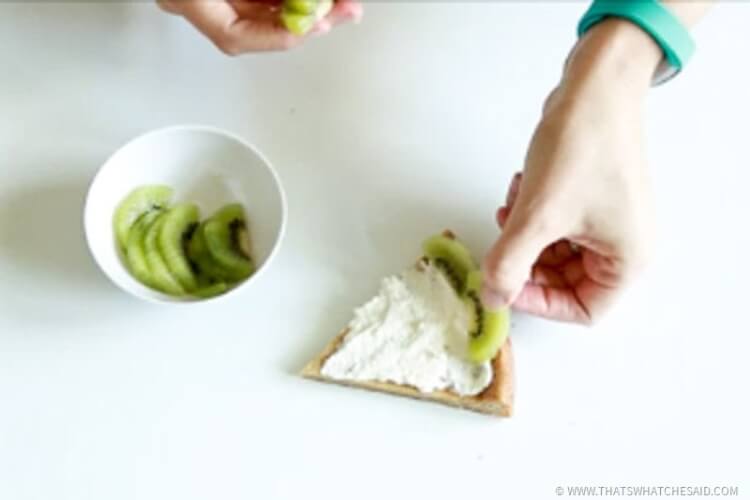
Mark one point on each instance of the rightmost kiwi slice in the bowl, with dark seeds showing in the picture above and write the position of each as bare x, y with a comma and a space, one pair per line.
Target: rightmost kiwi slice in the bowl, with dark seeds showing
226, 238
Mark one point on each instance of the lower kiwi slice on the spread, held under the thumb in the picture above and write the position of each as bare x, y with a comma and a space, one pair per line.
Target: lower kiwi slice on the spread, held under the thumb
488, 329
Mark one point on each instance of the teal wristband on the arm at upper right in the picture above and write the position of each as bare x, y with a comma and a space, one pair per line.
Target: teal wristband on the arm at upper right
653, 18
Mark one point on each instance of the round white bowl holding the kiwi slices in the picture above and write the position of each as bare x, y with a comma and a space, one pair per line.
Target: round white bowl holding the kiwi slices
204, 165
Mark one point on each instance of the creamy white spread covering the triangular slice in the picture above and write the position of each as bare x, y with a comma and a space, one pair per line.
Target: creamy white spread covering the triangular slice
414, 332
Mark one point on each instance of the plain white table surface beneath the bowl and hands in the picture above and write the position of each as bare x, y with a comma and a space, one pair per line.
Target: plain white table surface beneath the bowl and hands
382, 134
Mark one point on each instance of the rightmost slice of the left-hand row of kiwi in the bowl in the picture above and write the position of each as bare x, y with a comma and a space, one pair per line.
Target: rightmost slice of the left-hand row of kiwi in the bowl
179, 223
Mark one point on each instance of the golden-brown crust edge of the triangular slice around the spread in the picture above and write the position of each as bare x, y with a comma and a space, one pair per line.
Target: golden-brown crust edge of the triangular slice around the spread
496, 399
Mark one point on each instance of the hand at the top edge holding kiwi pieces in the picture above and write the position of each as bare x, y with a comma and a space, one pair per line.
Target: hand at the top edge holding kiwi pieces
240, 26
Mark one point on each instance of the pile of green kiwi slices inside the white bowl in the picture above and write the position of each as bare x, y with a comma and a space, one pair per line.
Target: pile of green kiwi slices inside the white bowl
167, 247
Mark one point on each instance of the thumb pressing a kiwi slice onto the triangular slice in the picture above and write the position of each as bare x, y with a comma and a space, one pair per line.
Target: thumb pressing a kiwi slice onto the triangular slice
508, 264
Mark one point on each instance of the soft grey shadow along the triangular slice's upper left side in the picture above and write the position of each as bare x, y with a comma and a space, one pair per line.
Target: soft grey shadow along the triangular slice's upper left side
387, 243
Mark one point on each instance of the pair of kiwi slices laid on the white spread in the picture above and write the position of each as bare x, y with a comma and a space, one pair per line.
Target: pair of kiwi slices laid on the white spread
488, 329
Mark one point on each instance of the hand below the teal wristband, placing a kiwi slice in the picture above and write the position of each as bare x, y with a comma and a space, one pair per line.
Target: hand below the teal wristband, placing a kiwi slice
576, 225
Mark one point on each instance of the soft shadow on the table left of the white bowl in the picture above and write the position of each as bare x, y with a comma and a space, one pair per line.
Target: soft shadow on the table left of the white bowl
42, 238
